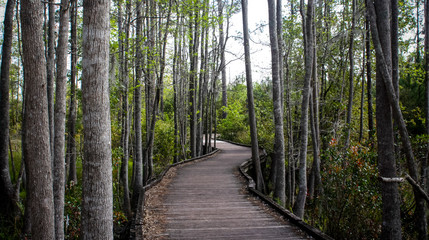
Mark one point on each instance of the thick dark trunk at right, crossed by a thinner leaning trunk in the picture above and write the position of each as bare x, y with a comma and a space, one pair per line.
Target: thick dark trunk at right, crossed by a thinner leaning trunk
391, 225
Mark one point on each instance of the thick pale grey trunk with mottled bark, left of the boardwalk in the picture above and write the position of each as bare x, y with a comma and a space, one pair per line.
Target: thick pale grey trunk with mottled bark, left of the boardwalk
97, 193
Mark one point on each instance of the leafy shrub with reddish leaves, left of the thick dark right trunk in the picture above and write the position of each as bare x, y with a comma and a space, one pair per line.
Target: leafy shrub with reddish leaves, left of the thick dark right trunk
350, 207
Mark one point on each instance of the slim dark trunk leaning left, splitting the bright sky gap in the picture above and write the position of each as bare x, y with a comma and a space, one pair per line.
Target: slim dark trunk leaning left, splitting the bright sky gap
251, 106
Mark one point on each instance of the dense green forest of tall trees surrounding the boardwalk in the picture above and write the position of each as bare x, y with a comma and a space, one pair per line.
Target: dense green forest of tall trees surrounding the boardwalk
97, 98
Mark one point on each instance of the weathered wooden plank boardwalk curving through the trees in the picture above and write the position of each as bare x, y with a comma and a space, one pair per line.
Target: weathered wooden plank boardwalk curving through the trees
206, 201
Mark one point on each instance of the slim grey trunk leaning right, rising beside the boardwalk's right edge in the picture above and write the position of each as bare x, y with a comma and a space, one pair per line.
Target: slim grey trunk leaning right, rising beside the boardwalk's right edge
299, 206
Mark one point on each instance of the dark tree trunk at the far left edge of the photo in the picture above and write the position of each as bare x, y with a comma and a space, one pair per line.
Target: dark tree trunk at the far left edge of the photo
6, 188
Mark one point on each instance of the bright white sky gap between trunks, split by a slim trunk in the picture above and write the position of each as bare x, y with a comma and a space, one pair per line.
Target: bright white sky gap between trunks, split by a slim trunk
259, 43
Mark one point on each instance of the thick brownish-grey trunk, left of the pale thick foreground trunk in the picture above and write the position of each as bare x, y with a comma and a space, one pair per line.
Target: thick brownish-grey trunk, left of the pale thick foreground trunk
37, 141
